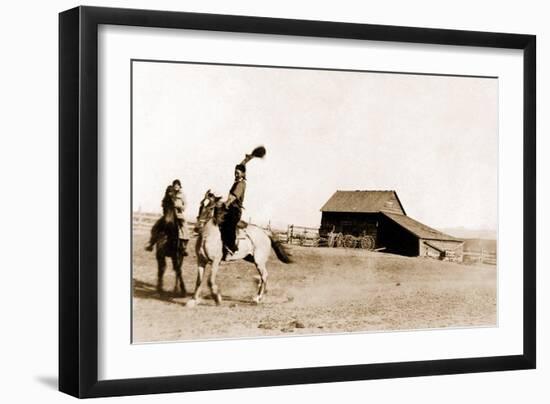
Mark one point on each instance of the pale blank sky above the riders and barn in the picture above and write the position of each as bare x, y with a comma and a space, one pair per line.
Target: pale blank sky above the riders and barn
433, 139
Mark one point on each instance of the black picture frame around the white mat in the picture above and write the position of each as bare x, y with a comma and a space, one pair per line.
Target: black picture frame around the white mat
78, 201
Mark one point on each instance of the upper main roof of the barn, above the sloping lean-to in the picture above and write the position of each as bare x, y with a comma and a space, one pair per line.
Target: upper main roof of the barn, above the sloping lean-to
360, 201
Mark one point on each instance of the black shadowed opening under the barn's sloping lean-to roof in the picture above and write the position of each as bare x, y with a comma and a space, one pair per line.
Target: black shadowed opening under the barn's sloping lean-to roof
396, 239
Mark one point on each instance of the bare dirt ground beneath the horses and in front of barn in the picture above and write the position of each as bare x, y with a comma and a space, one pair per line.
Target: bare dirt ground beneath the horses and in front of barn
326, 290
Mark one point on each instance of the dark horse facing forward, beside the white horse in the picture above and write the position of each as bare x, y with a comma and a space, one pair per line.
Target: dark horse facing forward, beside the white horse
170, 245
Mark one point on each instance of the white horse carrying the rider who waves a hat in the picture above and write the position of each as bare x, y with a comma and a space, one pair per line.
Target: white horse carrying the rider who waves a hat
254, 245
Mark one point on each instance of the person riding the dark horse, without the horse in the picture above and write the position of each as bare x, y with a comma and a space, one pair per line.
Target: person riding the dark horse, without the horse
173, 198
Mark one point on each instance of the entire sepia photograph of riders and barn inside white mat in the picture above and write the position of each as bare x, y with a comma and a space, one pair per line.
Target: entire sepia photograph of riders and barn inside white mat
277, 201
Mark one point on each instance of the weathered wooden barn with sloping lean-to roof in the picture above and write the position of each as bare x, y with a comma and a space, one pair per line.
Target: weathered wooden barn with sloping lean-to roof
381, 215
